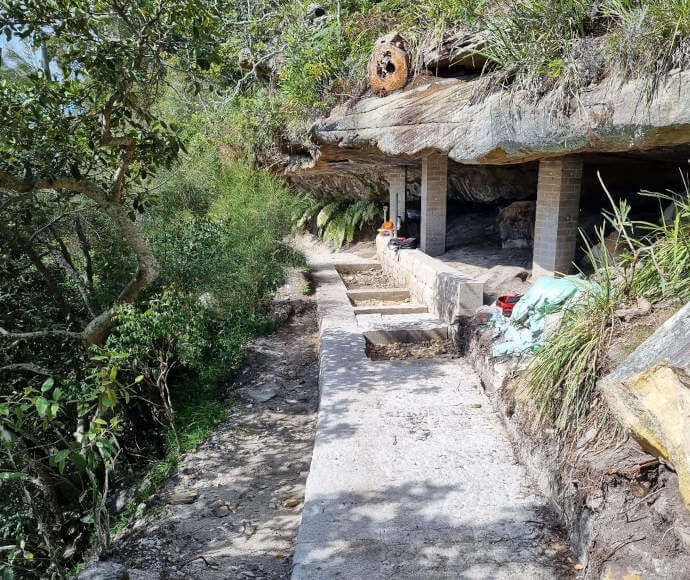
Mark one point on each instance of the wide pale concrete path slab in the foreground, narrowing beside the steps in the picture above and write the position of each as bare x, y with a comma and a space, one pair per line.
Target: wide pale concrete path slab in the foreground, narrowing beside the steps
413, 475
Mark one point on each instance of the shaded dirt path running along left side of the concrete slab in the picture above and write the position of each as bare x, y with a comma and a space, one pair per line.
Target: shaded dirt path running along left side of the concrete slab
245, 484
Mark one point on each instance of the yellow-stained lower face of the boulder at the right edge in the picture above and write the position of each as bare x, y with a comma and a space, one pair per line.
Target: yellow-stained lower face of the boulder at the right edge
654, 406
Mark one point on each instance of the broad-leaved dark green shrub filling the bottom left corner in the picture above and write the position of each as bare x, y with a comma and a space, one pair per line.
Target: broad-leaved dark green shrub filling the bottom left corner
60, 442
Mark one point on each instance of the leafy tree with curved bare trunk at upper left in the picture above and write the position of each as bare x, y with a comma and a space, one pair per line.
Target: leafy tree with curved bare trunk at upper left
90, 134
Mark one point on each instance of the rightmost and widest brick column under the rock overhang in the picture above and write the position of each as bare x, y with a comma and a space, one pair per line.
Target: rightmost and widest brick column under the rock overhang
556, 222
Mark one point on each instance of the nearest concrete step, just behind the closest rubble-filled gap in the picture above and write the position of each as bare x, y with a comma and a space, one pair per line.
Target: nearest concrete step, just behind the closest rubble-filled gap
401, 328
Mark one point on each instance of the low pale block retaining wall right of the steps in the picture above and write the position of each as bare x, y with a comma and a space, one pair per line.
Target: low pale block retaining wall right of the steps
448, 294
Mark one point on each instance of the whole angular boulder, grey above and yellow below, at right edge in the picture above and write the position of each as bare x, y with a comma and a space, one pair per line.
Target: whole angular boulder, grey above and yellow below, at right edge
649, 393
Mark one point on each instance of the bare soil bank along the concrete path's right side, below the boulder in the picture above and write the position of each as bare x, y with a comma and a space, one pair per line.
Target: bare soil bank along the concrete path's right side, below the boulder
620, 506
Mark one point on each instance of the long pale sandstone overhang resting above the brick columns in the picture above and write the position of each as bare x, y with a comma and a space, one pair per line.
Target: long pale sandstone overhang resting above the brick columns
503, 127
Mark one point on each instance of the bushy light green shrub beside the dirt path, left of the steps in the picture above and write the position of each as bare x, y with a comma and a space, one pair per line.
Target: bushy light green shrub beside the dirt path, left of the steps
221, 265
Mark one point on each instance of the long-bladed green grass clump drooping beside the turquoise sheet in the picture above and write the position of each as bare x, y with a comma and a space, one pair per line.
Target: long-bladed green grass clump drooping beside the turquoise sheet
562, 376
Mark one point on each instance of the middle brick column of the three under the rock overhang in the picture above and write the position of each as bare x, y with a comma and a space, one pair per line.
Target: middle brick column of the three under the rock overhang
434, 199
